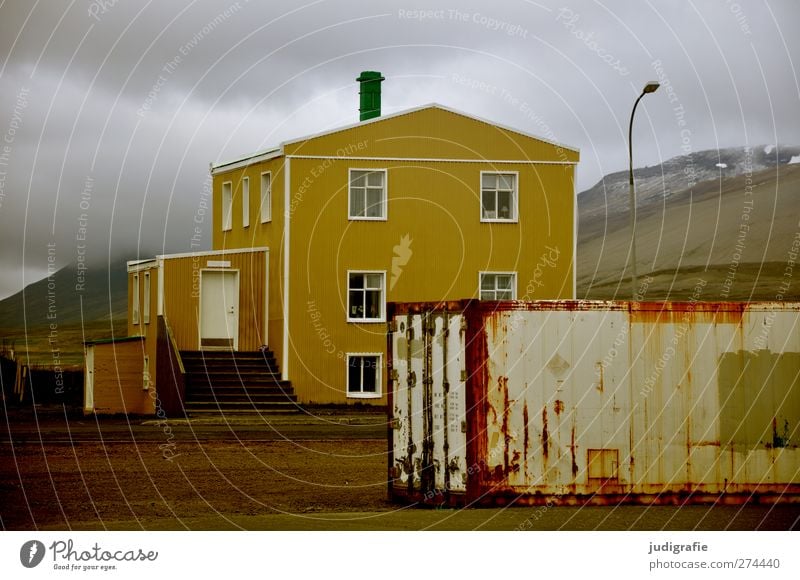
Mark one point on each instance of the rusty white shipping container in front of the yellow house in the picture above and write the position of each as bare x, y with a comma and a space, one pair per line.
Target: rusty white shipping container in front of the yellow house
569, 402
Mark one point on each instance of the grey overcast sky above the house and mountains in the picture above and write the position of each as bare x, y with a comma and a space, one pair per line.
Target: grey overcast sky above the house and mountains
115, 109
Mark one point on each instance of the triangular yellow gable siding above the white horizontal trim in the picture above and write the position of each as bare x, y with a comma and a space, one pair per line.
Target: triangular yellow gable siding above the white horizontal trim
431, 133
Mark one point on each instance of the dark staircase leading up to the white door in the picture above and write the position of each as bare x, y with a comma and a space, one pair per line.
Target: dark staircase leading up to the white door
235, 382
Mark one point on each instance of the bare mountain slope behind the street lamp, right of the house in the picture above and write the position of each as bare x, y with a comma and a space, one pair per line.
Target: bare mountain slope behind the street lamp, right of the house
734, 235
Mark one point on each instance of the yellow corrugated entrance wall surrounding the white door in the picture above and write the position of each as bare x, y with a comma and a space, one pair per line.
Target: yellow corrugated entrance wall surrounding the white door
181, 296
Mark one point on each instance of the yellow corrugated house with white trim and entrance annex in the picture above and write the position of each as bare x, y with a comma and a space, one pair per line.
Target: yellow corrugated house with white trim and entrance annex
428, 204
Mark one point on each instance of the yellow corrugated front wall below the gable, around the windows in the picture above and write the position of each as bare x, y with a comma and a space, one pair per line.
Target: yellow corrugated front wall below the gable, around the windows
436, 205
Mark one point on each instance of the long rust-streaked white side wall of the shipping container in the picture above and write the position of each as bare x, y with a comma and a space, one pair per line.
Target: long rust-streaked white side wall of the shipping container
572, 401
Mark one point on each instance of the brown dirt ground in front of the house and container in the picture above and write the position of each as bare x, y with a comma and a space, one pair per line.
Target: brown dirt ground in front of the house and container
304, 473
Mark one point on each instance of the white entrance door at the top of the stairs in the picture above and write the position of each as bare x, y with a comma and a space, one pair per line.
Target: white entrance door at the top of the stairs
219, 309
